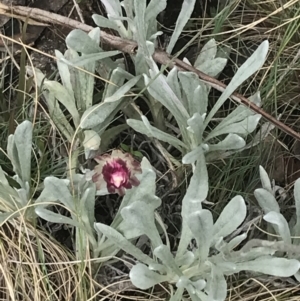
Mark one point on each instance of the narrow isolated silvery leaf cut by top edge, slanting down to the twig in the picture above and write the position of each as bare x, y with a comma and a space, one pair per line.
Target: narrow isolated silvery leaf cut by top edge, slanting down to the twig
185, 13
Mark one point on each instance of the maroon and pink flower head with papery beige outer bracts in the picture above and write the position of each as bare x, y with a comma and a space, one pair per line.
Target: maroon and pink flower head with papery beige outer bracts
116, 171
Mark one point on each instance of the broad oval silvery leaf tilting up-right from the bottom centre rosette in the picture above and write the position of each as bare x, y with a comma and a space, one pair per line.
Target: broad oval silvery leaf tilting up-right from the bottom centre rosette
231, 217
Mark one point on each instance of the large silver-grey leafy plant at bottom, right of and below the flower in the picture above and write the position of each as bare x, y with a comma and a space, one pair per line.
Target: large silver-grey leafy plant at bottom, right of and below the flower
195, 269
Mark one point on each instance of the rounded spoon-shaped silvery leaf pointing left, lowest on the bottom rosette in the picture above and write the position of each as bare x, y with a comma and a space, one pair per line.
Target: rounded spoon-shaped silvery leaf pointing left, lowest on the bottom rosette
143, 278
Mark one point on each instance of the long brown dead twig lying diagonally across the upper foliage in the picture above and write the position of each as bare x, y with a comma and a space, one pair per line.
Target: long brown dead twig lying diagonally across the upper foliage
130, 47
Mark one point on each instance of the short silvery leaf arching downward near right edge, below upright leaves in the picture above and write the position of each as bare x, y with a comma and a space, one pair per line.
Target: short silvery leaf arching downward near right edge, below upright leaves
282, 227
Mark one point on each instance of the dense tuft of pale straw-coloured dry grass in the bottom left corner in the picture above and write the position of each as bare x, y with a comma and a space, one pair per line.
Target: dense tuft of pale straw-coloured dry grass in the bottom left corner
35, 267
